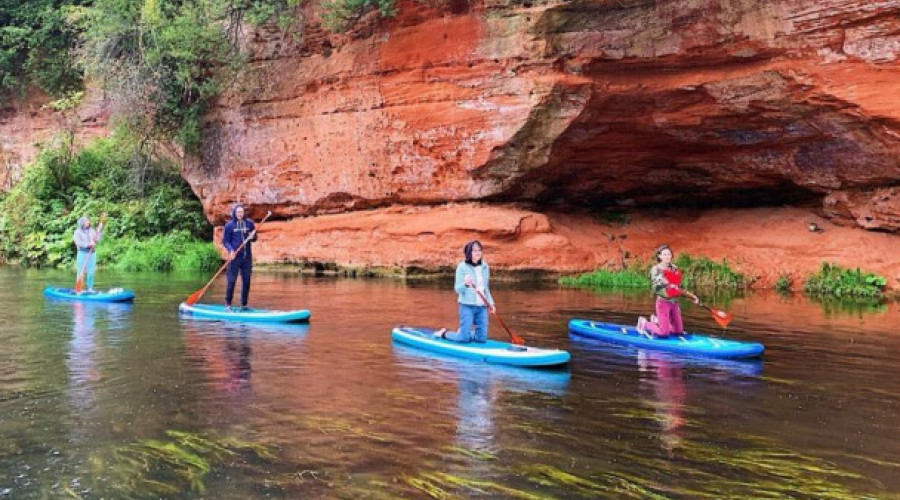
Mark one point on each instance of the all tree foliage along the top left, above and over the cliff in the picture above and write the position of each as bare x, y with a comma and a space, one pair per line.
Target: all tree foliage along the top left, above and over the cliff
161, 62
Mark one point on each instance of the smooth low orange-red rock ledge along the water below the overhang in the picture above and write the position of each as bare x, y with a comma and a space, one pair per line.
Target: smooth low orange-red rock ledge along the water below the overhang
764, 244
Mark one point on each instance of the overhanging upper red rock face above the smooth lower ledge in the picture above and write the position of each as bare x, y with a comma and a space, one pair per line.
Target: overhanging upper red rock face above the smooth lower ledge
628, 102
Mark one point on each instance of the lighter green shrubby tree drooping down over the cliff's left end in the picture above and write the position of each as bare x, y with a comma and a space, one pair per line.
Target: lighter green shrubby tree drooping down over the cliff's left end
166, 61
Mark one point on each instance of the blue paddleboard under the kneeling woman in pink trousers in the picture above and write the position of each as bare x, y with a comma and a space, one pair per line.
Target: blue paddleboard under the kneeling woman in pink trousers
689, 343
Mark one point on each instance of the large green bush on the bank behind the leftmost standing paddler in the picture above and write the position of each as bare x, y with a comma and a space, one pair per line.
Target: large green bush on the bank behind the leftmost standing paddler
39, 215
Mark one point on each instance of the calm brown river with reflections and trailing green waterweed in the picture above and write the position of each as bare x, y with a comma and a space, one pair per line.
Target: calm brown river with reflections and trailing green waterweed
129, 401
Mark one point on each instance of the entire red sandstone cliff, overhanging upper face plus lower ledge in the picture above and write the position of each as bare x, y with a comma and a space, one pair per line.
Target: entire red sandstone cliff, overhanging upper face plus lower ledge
519, 112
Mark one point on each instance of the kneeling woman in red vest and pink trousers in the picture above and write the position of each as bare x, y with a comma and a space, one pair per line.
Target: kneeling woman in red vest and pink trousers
665, 279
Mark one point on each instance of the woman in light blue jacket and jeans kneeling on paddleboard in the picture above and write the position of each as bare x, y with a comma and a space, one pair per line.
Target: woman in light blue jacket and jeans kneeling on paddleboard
472, 276
